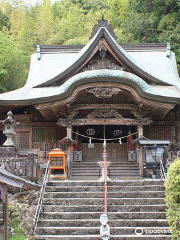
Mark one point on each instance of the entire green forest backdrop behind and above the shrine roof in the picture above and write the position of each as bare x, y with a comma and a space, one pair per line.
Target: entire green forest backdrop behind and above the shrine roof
23, 26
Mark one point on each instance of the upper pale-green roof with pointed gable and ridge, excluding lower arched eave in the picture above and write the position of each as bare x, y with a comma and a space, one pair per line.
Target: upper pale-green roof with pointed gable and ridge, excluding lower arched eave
153, 62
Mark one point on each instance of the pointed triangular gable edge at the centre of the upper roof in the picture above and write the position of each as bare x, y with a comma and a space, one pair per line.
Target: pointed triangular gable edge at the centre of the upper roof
83, 55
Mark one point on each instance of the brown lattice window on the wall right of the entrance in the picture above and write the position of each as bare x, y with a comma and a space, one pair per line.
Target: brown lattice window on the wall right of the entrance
160, 132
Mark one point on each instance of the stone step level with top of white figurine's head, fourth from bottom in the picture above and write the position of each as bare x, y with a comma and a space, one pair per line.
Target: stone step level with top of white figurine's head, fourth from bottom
95, 215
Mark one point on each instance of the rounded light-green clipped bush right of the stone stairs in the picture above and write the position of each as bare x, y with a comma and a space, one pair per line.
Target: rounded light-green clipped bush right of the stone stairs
173, 199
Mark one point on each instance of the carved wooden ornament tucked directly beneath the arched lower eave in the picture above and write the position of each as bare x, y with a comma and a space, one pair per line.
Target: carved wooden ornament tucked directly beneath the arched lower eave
103, 92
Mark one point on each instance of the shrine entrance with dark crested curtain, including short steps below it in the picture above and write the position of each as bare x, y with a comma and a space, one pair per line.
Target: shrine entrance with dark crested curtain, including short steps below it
90, 142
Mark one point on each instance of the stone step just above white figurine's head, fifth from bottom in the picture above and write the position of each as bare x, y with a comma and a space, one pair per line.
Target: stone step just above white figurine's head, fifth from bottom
100, 208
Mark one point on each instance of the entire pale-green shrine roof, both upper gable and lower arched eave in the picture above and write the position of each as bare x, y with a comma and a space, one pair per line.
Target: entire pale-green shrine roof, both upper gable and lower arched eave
56, 62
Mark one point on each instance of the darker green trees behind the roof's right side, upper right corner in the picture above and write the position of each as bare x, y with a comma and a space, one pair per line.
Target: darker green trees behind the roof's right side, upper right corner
154, 21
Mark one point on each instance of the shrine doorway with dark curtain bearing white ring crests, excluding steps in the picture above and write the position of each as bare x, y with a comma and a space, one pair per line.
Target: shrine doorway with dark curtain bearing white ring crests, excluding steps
92, 149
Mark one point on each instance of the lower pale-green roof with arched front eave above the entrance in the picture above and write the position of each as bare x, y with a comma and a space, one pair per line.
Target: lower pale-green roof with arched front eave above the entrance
46, 94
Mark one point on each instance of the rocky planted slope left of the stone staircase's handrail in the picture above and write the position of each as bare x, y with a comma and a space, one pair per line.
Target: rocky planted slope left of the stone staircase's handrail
21, 209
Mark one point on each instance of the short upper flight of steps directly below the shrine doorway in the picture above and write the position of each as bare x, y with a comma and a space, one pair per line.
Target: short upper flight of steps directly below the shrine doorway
117, 170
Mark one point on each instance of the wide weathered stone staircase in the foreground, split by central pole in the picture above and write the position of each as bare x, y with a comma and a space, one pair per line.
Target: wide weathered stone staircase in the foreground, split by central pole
71, 210
